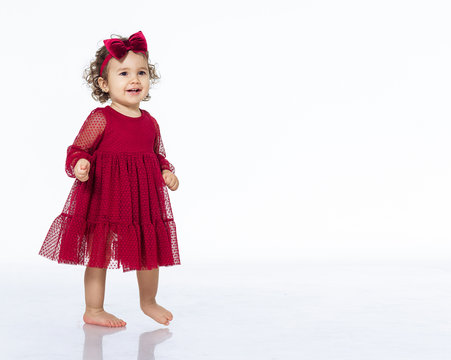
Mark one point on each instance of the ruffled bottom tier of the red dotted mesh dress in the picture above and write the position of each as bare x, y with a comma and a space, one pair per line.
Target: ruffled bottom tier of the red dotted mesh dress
111, 245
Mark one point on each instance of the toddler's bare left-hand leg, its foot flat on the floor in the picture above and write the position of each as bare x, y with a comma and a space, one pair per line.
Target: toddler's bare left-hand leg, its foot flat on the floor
94, 297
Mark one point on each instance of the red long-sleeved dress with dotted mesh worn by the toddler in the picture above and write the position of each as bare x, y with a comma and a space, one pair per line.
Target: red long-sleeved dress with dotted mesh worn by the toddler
122, 215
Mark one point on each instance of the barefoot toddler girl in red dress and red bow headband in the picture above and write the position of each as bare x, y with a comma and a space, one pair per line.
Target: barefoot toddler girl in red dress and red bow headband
118, 212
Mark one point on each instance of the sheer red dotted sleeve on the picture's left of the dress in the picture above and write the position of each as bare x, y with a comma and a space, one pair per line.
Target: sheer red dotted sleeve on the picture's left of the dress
86, 141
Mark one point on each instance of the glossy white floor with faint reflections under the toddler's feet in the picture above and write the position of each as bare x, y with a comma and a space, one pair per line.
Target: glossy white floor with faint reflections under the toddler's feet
306, 311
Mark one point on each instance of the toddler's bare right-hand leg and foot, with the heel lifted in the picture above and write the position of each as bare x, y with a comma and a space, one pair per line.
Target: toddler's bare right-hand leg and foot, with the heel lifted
148, 285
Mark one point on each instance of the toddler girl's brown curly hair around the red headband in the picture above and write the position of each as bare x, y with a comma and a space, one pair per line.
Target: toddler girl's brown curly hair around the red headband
92, 73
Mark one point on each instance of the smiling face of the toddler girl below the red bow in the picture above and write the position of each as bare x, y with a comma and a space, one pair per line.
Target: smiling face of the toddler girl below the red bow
131, 72
